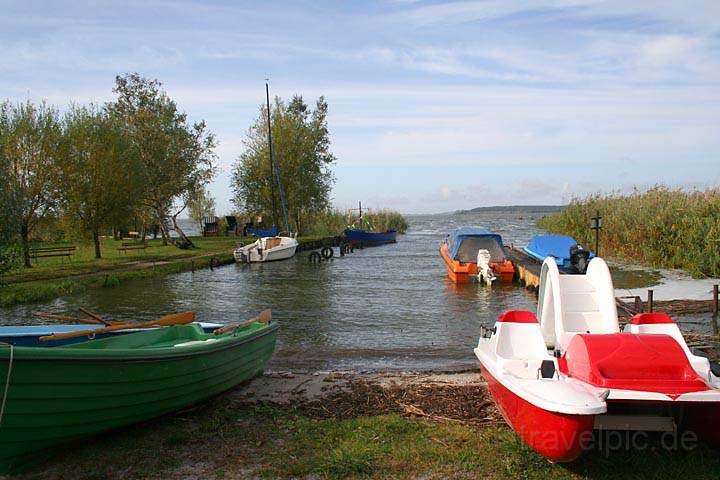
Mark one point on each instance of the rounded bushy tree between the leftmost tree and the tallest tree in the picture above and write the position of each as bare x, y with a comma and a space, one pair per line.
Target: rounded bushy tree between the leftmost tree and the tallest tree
97, 175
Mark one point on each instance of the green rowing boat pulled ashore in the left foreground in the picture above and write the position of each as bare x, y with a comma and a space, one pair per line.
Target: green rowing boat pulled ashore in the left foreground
60, 394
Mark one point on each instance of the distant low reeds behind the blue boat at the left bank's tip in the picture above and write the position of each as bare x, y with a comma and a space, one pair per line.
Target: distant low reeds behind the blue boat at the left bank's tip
334, 222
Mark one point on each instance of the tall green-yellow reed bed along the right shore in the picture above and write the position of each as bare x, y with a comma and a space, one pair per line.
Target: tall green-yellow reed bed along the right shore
661, 227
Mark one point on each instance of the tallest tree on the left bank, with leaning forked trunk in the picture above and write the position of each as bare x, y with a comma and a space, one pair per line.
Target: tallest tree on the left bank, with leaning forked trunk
177, 157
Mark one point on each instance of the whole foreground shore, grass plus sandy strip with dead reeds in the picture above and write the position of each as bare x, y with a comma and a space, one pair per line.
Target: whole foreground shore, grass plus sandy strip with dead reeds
345, 425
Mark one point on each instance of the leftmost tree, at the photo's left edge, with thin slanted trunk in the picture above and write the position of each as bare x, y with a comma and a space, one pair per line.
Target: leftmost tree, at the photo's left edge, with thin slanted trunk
30, 143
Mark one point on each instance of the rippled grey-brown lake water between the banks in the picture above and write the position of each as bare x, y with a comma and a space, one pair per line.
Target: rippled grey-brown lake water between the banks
388, 307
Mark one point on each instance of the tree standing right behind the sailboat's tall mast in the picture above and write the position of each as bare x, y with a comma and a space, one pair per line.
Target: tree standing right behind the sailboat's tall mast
301, 143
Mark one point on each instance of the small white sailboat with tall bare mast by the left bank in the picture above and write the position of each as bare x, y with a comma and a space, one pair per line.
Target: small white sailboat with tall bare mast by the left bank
276, 247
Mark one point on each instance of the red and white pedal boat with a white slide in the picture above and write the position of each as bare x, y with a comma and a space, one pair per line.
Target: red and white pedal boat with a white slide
574, 371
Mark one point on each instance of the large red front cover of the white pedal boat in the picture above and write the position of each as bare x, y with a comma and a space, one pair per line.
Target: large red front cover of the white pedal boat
644, 362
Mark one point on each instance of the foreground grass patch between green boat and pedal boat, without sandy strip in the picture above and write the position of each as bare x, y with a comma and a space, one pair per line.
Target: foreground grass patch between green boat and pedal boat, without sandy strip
223, 439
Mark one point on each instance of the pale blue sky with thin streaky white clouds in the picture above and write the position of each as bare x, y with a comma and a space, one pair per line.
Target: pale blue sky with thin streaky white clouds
434, 106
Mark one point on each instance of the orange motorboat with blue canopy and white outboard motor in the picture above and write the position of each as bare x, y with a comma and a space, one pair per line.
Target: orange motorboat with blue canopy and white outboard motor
461, 249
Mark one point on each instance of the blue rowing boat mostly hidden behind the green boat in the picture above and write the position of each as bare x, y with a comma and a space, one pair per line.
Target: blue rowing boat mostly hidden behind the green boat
29, 335
